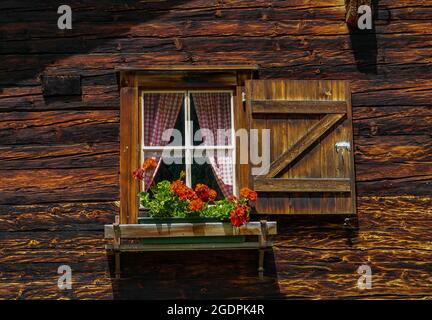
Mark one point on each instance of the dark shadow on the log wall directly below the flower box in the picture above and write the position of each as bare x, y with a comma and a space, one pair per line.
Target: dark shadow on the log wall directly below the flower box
194, 275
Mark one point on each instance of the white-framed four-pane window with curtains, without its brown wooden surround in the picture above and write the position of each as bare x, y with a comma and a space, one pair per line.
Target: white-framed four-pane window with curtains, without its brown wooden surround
190, 131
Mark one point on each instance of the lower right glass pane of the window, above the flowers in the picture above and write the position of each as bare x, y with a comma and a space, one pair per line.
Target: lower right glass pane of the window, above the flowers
215, 169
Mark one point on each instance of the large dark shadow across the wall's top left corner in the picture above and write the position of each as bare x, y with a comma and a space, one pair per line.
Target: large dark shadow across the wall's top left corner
31, 41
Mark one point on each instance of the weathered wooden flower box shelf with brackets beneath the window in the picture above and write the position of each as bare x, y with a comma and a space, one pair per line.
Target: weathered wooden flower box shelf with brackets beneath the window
124, 236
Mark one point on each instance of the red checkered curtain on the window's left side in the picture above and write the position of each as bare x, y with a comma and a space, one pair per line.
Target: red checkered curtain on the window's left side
160, 113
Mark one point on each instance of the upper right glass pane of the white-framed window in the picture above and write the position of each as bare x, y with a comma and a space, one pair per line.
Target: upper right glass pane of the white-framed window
211, 116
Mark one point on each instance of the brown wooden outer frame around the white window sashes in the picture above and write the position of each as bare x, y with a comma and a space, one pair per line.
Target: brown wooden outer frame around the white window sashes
133, 80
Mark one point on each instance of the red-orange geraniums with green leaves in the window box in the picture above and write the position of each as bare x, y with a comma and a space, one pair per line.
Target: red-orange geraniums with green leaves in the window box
175, 202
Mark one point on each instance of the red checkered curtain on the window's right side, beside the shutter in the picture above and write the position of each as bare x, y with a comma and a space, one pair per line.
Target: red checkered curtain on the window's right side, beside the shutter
214, 114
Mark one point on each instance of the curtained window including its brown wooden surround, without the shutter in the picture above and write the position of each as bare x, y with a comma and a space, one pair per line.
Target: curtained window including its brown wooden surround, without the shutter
188, 98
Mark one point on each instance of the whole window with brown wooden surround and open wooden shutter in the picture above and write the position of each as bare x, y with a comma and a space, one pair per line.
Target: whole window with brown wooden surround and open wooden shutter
311, 163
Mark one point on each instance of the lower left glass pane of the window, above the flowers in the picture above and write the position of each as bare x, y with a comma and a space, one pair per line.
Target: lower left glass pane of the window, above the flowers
169, 165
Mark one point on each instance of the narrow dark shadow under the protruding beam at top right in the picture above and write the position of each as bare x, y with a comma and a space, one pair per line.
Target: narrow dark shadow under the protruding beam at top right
364, 44
